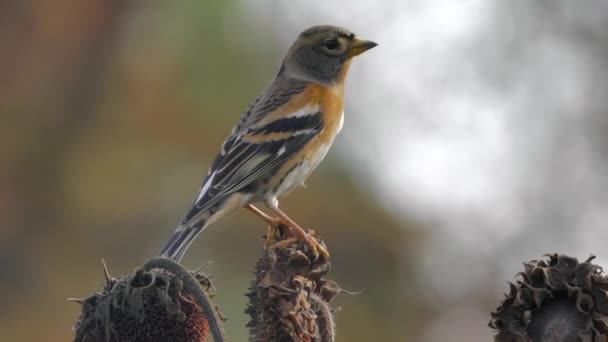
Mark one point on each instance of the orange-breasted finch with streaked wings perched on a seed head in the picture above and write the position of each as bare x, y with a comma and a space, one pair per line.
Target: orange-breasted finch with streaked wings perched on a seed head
280, 138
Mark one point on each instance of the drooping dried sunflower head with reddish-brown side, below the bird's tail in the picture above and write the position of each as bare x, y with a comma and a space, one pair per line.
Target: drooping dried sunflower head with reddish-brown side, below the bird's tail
152, 304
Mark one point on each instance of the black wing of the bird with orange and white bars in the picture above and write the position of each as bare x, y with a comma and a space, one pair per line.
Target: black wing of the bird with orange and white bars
253, 152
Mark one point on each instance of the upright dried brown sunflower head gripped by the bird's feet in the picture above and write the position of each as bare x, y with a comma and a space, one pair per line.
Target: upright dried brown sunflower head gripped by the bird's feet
289, 298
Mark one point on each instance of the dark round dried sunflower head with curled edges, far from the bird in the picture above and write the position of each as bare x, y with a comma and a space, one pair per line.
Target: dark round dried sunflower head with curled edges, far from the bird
557, 299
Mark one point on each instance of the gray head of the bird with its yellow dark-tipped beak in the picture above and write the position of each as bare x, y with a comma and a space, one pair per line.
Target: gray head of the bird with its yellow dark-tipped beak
321, 53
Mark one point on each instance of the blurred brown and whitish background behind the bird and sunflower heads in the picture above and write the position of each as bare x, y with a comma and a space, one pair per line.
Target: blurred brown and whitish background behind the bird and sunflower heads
476, 137
